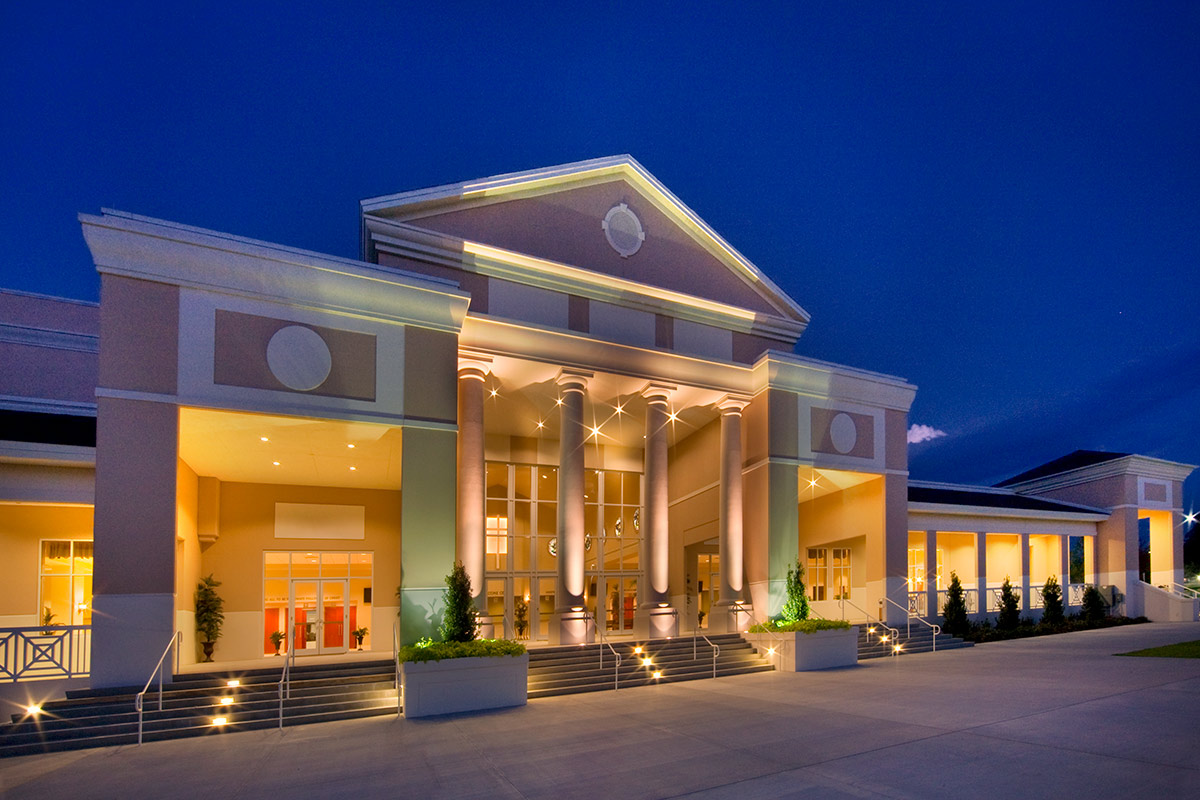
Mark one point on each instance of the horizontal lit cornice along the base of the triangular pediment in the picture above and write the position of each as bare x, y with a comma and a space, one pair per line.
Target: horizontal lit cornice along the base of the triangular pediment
411, 243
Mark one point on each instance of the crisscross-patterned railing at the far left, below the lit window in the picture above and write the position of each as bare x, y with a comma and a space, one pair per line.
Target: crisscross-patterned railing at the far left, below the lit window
45, 653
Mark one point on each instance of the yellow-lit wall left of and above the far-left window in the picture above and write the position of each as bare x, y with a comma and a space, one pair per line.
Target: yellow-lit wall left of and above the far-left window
22, 530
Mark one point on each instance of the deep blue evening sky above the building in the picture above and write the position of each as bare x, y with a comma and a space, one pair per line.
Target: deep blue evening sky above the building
1000, 203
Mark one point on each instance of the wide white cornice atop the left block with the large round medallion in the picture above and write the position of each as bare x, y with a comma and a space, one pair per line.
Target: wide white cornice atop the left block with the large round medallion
167, 252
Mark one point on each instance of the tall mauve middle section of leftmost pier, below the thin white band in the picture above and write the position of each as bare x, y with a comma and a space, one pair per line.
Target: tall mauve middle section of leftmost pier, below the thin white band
136, 468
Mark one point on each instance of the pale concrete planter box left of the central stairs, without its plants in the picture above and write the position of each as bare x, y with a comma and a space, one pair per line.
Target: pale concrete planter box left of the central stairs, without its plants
455, 685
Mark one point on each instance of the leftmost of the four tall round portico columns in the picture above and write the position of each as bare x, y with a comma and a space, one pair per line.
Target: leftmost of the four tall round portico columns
472, 537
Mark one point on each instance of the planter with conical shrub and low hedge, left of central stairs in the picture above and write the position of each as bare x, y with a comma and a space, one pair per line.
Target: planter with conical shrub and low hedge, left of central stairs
461, 673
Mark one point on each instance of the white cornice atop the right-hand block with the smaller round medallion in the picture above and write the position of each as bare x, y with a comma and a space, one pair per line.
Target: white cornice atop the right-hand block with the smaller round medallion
823, 380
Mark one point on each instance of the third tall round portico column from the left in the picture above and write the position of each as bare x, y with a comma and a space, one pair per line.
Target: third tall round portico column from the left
655, 617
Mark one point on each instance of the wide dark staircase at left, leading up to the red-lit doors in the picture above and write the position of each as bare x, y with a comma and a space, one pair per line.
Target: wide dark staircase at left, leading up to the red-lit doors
196, 705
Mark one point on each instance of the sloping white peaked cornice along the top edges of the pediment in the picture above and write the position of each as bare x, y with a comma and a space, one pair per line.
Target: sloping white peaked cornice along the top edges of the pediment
412, 206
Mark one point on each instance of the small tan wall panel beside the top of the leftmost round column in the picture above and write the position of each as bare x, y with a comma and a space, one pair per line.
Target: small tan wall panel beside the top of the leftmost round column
431, 376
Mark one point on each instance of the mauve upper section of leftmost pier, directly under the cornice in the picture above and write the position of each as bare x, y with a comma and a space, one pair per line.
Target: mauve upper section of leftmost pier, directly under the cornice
139, 335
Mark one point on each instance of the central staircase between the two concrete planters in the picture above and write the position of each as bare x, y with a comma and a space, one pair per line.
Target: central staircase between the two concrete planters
573, 670
